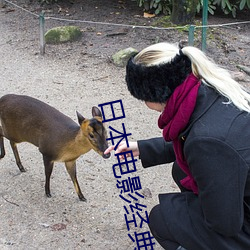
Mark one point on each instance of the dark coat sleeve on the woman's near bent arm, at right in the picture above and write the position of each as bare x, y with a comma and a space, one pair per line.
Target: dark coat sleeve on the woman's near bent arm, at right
220, 173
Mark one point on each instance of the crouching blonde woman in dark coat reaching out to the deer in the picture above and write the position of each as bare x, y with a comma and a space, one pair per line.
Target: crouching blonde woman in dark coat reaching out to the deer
205, 118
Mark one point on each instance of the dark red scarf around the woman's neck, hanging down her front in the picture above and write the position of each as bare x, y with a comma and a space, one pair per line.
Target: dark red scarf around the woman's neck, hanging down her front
174, 119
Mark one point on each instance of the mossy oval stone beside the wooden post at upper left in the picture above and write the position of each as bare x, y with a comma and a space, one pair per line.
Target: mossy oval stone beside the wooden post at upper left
63, 34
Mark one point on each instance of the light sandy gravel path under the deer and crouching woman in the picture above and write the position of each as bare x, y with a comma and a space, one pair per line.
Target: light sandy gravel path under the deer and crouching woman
69, 79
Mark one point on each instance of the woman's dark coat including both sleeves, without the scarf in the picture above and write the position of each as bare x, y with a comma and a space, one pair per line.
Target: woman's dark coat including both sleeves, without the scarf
216, 145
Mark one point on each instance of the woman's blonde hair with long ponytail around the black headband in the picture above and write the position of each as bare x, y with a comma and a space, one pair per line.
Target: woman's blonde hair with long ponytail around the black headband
202, 67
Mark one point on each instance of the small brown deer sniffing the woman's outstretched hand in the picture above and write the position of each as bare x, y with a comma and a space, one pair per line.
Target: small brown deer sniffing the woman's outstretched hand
59, 138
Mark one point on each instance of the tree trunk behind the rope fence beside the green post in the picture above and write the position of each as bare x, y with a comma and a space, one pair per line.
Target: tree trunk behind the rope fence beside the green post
183, 11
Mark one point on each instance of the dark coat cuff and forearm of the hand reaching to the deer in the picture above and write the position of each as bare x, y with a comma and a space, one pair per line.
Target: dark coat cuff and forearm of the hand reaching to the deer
155, 151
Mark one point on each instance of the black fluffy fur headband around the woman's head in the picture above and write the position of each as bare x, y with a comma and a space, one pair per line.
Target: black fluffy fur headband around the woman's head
156, 83
